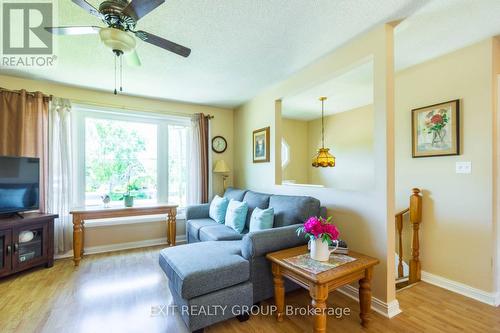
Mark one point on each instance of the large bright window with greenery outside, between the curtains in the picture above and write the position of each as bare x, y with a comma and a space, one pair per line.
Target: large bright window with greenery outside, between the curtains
116, 153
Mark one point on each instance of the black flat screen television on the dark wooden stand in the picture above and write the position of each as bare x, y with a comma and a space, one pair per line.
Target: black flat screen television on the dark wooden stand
19, 184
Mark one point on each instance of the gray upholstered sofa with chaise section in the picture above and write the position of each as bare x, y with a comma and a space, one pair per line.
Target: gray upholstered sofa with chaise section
221, 266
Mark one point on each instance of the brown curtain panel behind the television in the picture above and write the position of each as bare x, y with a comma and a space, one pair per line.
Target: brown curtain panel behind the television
24, 120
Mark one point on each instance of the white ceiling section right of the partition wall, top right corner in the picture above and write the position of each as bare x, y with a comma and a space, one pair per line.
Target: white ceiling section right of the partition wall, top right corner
443, 26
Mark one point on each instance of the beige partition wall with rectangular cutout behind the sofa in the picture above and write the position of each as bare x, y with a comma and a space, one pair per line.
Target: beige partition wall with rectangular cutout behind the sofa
365, 218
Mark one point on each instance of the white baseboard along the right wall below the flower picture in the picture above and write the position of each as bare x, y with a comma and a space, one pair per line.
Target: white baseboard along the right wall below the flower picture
462, 289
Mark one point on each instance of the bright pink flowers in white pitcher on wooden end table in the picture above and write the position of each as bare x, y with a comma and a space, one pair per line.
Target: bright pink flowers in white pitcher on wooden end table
321, 233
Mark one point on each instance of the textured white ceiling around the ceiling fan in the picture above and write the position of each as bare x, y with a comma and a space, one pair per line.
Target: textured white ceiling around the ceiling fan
240, 47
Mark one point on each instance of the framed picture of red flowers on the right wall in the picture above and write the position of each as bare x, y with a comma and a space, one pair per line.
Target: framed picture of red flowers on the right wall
436, 130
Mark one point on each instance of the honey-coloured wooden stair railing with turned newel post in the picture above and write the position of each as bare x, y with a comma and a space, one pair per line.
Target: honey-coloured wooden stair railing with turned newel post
415, 215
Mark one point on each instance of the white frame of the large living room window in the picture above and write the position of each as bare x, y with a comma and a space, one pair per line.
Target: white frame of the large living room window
81, 112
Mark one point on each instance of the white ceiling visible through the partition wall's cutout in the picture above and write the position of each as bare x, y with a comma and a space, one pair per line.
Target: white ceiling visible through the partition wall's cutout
350, 90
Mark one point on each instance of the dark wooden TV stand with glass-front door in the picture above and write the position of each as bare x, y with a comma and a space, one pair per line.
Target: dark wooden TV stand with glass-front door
17, 255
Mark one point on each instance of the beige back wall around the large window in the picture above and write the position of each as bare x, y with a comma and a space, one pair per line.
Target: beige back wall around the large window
222, 124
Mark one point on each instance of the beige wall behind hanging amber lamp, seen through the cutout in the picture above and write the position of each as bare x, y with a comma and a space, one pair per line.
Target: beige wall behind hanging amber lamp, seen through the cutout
349, 135
